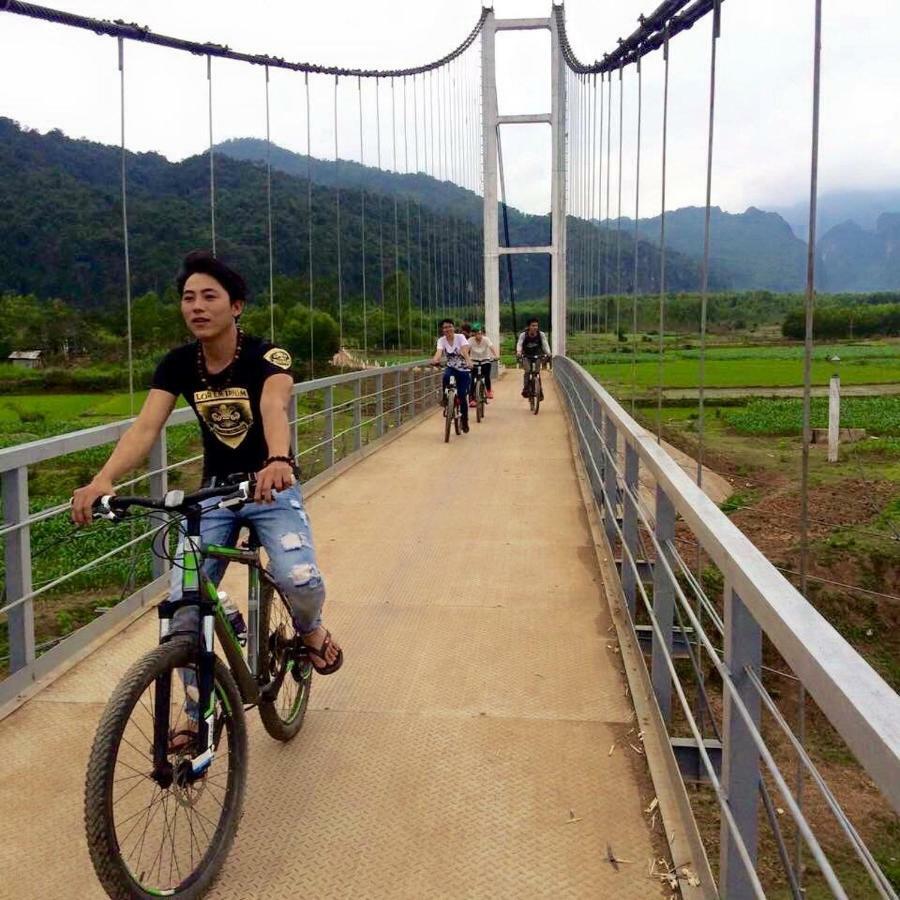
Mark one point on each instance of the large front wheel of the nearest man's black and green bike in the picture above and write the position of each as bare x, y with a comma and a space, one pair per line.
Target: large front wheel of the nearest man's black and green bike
157, 829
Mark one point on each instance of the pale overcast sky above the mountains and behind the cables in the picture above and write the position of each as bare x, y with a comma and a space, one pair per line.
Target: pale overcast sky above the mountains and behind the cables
54, 76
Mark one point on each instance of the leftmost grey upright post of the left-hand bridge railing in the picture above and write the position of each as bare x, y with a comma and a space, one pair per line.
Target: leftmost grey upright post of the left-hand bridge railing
20, 619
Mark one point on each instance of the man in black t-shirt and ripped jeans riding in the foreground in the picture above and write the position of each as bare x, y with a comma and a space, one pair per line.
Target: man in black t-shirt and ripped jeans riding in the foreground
240, 389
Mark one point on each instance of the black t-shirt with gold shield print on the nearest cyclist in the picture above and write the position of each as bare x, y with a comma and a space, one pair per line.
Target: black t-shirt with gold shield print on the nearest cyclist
228, 408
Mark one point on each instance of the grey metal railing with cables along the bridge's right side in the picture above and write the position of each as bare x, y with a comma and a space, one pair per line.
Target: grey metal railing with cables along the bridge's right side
671, 603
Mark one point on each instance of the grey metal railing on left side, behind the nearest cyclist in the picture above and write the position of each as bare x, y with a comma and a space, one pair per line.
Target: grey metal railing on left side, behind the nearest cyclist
333, 419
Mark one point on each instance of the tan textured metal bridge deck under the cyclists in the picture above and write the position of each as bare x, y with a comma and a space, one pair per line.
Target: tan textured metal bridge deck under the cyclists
463, 750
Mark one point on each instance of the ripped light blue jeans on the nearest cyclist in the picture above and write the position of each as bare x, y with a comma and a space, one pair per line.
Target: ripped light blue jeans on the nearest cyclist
283, 530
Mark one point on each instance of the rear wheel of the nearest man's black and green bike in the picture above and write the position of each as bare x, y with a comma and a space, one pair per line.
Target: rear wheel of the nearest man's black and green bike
288, 676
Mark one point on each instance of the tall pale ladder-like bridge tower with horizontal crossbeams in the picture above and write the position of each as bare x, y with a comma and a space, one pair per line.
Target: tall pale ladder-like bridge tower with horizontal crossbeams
491, 121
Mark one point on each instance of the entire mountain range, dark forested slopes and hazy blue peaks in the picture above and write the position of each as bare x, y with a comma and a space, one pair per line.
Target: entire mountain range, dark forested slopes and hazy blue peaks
61, 228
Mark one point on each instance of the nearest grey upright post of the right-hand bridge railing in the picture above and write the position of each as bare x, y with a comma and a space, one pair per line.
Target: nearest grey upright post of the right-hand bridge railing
740, 757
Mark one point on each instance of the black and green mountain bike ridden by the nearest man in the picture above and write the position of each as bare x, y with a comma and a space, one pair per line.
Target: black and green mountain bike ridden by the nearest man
167, 771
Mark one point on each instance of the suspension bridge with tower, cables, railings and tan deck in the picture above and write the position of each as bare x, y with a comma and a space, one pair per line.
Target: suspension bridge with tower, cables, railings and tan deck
544, 693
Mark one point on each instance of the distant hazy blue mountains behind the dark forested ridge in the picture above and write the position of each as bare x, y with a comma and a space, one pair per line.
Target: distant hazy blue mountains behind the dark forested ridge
753, 250
